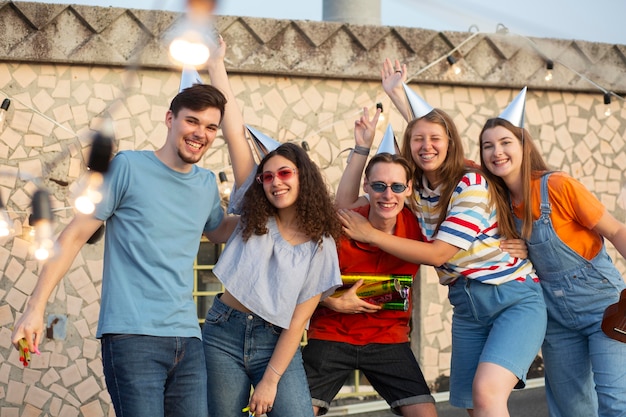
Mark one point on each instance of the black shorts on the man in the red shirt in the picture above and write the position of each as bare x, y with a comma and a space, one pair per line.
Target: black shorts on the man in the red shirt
392, 370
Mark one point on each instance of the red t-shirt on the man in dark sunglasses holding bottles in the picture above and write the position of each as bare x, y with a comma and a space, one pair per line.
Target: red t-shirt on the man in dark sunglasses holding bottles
384, 326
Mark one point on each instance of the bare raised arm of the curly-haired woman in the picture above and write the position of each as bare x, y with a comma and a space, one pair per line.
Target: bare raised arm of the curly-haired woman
232, 125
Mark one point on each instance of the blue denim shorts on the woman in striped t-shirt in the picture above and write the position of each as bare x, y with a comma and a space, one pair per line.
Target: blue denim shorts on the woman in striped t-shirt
502, 324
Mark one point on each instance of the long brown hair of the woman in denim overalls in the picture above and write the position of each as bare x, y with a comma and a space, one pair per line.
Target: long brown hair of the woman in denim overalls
533, 166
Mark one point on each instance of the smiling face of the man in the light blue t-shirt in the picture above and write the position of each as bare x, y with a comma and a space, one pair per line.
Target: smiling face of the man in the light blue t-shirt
190, 134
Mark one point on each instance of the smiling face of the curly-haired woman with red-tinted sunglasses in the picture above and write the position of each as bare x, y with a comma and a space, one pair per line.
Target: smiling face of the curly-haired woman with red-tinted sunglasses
282, 191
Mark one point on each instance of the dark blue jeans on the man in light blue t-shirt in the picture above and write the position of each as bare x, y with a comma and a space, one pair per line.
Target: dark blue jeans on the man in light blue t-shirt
150, 376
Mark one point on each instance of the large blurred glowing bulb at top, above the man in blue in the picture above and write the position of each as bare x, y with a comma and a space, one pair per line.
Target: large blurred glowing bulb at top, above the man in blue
190, 44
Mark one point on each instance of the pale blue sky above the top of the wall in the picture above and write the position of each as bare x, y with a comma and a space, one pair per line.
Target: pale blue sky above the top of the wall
594, 21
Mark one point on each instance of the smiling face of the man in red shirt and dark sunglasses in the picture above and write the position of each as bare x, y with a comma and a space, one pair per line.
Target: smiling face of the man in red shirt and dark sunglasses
386, 205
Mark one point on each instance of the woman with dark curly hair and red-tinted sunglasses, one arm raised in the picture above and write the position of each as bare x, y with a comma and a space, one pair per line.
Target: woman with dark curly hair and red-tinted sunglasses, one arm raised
276, 267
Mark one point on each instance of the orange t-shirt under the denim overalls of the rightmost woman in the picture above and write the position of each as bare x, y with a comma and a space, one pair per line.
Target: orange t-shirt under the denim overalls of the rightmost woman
575, 212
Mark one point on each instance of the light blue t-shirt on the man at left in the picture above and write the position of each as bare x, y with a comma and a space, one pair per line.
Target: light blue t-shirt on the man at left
154, 217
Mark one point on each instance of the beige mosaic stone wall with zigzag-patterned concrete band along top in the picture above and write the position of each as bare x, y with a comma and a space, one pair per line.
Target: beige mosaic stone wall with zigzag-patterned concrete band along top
67, 67
